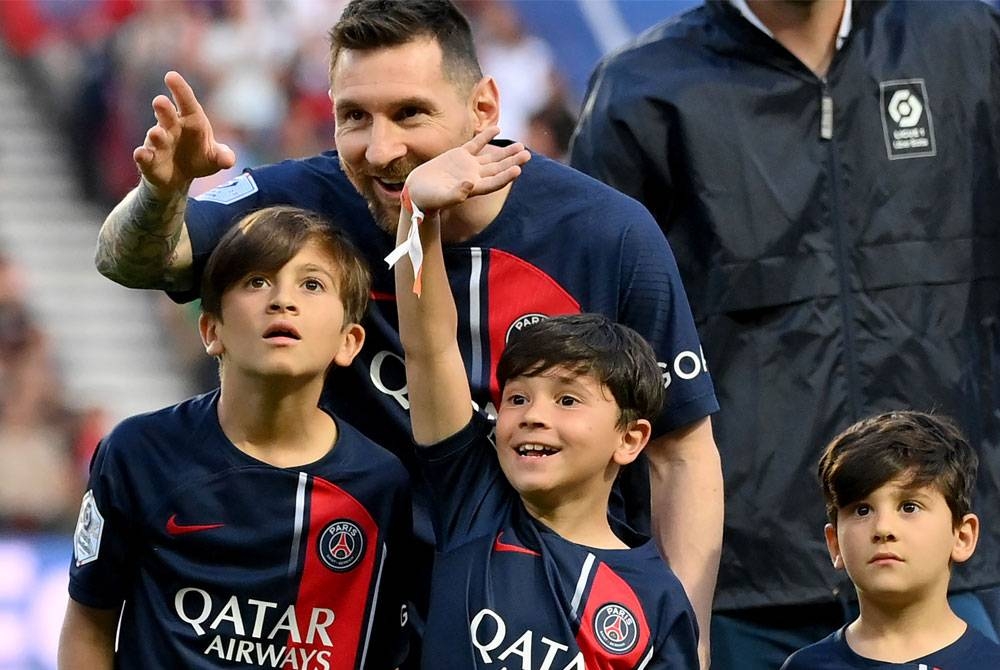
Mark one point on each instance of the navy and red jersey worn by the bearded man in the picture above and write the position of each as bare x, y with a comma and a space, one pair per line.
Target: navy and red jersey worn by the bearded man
563, 243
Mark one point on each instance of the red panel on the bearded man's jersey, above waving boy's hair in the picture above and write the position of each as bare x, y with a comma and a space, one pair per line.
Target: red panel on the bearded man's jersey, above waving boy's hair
517, 289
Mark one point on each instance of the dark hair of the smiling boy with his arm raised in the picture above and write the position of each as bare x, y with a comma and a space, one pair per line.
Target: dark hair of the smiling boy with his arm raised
590, 344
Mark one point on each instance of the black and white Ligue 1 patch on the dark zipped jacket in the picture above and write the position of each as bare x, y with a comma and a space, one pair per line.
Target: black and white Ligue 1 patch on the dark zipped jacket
906, 119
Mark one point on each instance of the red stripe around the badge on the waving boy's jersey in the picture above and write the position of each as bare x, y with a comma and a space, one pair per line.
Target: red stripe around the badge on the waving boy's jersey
610, 589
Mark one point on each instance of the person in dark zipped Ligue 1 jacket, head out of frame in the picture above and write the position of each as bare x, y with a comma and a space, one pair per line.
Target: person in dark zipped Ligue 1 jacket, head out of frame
828, 175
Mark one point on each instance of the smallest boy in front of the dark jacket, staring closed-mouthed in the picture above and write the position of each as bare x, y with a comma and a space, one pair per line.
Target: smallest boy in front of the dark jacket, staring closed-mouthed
898, 491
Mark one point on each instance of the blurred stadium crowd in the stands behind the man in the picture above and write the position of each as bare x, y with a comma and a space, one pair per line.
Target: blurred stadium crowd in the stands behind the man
259, 67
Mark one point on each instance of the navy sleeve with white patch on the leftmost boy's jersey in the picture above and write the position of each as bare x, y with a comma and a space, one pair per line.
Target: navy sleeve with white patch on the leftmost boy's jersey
103, 551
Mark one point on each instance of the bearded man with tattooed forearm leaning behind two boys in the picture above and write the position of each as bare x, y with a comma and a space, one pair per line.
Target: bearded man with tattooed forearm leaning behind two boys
406, 86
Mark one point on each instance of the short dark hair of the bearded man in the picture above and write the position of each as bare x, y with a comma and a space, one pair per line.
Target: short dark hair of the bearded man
376, 24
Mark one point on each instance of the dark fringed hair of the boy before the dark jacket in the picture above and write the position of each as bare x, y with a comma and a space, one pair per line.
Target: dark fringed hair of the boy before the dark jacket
928, 450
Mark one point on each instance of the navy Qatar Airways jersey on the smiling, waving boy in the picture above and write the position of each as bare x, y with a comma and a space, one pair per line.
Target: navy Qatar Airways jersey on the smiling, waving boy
509, 592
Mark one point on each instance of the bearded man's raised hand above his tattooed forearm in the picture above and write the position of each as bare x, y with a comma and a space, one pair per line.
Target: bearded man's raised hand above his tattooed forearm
181, 146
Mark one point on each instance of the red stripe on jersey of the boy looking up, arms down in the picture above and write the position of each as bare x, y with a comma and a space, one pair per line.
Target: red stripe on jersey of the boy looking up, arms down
346, 593
